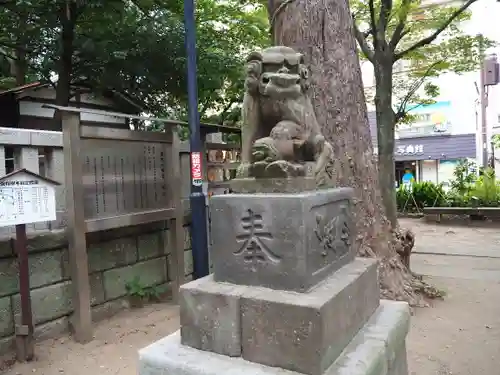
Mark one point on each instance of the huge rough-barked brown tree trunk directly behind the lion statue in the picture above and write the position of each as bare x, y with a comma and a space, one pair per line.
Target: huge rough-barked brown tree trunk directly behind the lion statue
322, 31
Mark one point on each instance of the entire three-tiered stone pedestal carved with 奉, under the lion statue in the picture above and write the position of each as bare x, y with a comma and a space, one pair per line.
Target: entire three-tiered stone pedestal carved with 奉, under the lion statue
287, 296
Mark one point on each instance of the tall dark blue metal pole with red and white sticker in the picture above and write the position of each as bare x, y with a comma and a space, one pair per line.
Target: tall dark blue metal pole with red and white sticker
199, 240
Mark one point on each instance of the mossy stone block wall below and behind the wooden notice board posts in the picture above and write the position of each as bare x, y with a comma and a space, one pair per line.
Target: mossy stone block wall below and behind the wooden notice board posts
115, 257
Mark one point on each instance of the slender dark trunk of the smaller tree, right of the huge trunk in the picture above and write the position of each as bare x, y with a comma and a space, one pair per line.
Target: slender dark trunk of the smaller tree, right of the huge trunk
385, 136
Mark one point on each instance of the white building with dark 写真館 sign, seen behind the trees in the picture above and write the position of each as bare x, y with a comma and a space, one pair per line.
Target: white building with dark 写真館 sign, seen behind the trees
455, 120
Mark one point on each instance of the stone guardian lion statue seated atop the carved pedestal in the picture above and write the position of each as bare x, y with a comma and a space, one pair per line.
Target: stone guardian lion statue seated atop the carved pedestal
280, 133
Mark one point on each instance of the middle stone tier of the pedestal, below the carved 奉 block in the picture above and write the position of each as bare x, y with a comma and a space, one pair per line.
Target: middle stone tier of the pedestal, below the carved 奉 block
303, 332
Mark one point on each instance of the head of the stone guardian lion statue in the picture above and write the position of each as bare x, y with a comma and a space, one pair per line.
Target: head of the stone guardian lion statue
277, 72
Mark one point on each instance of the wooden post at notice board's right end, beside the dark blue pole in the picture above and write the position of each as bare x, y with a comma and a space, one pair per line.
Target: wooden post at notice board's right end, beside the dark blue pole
177, 230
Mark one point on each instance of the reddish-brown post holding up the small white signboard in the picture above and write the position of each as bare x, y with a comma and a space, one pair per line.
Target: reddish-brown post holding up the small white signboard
24, 331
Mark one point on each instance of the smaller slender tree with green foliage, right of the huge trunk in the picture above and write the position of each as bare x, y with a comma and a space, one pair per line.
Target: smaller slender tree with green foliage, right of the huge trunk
426, 40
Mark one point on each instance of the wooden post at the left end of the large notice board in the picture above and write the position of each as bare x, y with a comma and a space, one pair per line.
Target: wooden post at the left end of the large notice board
82, 319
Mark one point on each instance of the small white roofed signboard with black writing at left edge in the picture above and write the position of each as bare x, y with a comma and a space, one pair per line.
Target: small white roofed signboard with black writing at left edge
26, 197
